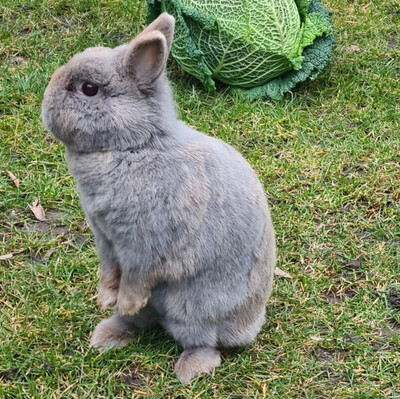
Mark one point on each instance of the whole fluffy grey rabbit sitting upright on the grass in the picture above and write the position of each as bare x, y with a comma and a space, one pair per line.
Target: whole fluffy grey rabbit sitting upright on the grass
180, 220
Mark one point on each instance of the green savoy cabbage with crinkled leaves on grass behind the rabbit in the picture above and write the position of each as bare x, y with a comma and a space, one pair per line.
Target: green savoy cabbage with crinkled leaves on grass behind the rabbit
259, 45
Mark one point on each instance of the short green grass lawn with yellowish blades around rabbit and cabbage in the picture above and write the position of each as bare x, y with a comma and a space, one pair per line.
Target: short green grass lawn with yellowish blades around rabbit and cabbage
329, 158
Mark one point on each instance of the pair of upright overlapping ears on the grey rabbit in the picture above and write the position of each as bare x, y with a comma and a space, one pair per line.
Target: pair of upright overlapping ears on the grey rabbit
147, 54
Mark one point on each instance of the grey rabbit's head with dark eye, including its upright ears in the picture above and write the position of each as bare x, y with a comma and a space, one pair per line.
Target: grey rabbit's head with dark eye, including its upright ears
105, 99
